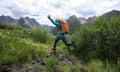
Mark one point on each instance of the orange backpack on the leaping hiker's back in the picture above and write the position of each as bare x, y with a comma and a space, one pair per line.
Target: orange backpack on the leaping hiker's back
64, 27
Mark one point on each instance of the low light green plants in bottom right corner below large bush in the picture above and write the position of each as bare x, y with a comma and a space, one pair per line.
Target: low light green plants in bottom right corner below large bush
96, 65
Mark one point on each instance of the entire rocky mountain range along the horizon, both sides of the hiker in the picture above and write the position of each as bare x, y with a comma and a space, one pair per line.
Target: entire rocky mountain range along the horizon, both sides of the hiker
73, 21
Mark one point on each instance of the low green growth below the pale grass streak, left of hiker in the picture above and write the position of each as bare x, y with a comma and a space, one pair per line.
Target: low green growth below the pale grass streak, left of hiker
16, 49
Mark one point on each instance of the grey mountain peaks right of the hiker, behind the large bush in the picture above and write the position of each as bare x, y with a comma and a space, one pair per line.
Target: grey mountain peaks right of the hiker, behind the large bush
75, 22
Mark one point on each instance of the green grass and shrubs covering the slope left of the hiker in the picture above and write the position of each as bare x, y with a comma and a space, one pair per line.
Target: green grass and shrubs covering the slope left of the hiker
20, 44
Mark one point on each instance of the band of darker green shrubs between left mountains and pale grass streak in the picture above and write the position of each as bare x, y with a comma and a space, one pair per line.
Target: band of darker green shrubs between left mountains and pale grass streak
36, 34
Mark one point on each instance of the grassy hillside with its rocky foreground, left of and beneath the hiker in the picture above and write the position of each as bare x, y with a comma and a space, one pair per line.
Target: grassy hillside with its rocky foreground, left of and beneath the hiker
27, 50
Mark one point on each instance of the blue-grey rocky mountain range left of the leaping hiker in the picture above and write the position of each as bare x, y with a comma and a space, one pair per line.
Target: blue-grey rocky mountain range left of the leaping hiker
24, 22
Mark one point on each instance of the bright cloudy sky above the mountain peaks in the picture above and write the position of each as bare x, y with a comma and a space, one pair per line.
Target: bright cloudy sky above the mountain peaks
39, 9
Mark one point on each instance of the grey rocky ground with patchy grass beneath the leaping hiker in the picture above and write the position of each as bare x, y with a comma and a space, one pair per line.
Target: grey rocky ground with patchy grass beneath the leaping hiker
36, 65
